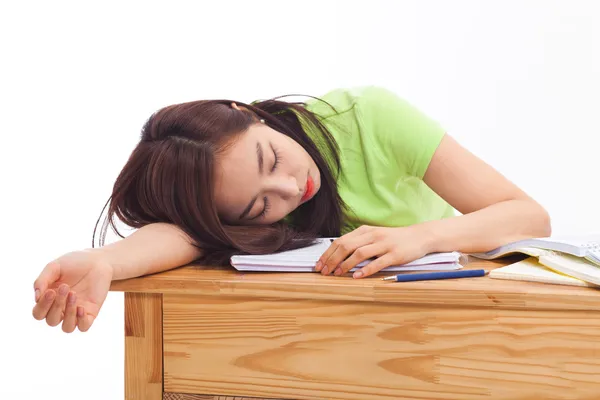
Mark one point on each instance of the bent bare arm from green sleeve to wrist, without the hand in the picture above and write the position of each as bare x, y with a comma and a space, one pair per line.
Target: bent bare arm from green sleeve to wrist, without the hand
495, 211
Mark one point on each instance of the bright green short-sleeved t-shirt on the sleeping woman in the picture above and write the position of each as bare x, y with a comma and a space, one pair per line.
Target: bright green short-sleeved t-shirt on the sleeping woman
385, 146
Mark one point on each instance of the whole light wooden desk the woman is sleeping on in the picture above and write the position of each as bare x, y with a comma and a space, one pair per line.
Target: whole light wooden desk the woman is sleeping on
209, 333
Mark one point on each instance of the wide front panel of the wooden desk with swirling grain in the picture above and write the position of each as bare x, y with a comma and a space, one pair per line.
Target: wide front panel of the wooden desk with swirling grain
314, 349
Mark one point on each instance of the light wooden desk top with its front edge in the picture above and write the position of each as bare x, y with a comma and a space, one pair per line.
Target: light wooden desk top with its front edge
467, 292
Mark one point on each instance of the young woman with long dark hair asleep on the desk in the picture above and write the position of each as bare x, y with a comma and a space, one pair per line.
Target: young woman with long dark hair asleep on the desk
212, 178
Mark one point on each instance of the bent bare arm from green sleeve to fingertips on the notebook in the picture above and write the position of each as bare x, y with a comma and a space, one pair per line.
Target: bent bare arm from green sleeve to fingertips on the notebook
495, 212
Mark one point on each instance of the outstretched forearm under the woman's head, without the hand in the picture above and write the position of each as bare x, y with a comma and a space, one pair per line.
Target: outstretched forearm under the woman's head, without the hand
151, 249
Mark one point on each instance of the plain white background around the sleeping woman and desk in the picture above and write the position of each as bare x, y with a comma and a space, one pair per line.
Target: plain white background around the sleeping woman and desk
517, 82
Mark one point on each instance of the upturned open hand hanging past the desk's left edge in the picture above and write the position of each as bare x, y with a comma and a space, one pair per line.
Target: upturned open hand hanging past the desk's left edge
72, 289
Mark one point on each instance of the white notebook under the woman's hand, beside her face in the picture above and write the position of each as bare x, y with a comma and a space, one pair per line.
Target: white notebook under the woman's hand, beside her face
305, 260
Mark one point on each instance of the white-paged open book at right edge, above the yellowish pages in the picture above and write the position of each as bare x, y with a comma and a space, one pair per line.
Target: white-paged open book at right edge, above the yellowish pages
583, 246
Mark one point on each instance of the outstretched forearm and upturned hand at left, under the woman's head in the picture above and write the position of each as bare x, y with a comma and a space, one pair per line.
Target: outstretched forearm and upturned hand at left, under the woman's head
71, 289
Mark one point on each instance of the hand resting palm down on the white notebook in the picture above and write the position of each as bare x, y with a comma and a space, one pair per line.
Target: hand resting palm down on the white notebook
391, 246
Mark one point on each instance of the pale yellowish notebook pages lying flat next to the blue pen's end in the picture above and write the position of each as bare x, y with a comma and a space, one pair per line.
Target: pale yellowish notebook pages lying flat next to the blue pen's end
531, 270
